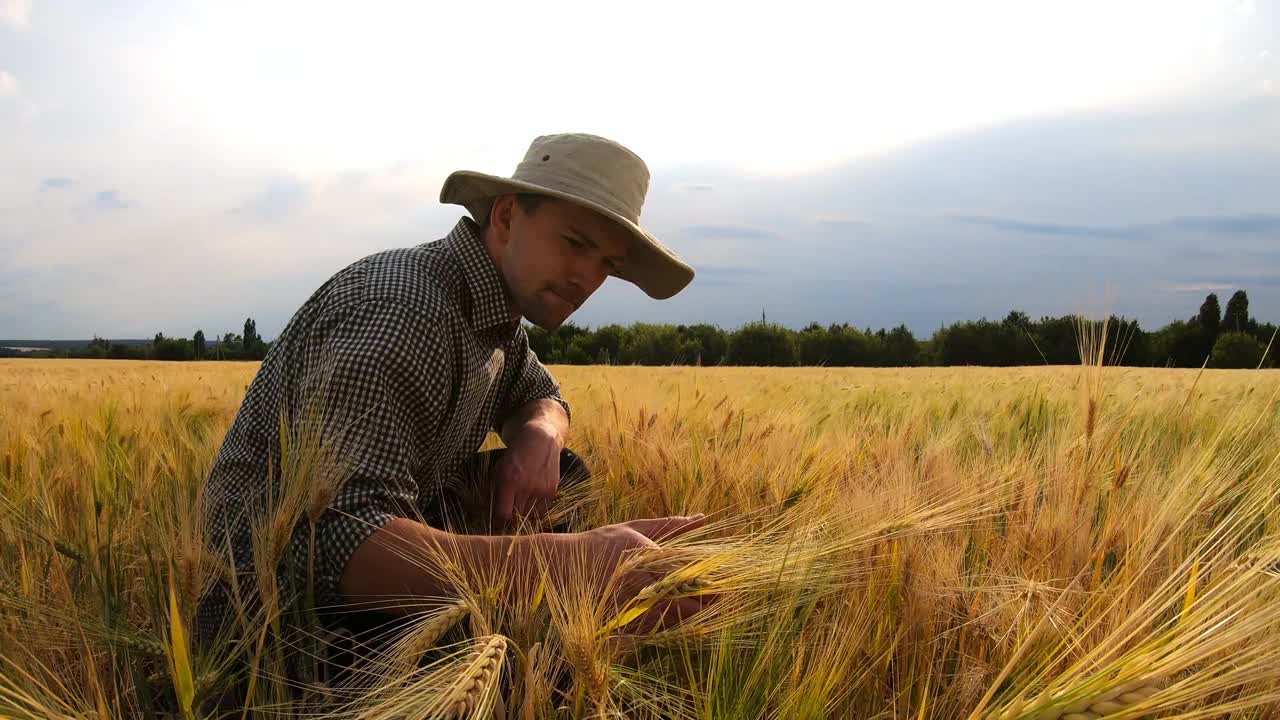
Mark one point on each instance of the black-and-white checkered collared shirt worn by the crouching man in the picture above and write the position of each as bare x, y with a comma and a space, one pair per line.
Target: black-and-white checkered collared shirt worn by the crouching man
414, 357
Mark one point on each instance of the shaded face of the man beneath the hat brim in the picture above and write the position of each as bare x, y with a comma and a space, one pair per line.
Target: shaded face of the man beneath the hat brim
555, 258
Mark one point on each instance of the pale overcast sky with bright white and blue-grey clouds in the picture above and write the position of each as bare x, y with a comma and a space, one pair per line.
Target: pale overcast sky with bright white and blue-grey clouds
168, 166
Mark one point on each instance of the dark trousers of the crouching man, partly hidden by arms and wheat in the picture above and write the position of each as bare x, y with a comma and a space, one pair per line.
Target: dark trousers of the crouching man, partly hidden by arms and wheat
355, 636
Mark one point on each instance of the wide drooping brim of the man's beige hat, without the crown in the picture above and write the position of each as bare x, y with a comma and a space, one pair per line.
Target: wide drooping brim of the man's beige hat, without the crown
651, 266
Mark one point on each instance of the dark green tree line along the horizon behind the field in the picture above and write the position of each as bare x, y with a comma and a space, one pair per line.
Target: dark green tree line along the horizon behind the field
1223, 339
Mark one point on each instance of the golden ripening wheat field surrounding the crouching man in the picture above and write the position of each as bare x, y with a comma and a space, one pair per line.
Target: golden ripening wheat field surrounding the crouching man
935, 543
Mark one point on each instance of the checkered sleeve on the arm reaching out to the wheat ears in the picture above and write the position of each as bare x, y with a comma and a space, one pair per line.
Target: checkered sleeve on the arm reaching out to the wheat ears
385, 380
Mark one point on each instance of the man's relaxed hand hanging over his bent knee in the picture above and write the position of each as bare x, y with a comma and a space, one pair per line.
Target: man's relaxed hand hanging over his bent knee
527, 479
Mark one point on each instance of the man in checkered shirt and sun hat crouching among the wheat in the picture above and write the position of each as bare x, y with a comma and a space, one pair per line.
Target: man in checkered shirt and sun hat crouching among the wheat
401, 364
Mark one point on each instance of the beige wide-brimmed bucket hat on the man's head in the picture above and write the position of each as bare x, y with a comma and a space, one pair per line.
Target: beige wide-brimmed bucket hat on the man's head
593, 172
